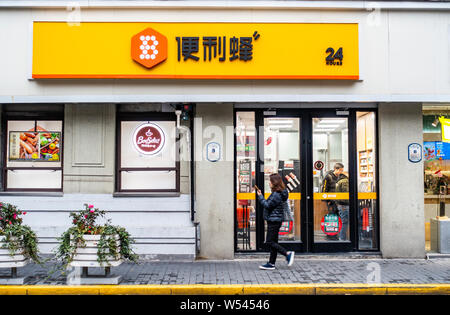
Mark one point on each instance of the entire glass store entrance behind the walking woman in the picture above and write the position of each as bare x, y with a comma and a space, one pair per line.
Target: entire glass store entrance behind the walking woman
328, 164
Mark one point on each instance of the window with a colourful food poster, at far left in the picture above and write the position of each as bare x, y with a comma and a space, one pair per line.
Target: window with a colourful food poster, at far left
33, 155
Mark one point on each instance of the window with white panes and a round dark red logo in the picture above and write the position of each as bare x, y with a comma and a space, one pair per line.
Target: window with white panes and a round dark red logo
148, 156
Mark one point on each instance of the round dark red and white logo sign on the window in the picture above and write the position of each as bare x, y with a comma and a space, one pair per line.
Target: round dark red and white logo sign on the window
149, 139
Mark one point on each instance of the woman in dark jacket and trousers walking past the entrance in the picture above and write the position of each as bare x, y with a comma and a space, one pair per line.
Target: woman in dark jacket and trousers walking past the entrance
273, 214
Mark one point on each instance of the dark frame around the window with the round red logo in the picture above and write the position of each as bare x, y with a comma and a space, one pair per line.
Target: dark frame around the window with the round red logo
150, 117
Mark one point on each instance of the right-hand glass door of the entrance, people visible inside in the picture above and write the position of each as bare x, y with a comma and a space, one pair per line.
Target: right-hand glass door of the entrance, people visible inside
331, 172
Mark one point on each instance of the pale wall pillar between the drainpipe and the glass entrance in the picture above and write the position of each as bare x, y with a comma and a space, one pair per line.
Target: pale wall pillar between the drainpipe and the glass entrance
214, 181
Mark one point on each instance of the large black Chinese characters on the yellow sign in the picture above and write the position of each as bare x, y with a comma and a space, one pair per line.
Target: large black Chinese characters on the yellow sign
216, 46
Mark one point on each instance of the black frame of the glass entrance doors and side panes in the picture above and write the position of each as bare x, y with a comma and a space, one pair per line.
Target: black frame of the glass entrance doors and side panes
305, 115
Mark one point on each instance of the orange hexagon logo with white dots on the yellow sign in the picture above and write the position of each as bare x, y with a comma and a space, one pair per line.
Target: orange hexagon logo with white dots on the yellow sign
149, 48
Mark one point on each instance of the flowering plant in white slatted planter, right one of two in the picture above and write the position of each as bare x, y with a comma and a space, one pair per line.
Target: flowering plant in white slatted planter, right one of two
88, 244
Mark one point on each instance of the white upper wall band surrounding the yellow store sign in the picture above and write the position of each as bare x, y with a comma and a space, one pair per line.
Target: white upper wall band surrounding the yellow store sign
404, 55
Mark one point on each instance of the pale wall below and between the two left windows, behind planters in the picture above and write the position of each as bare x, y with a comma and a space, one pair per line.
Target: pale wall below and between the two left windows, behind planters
161, 225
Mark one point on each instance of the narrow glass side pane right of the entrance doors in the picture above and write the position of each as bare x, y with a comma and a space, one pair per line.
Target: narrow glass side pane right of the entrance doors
367, 181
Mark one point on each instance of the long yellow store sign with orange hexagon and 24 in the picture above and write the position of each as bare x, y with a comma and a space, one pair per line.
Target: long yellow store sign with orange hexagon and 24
195, 50
